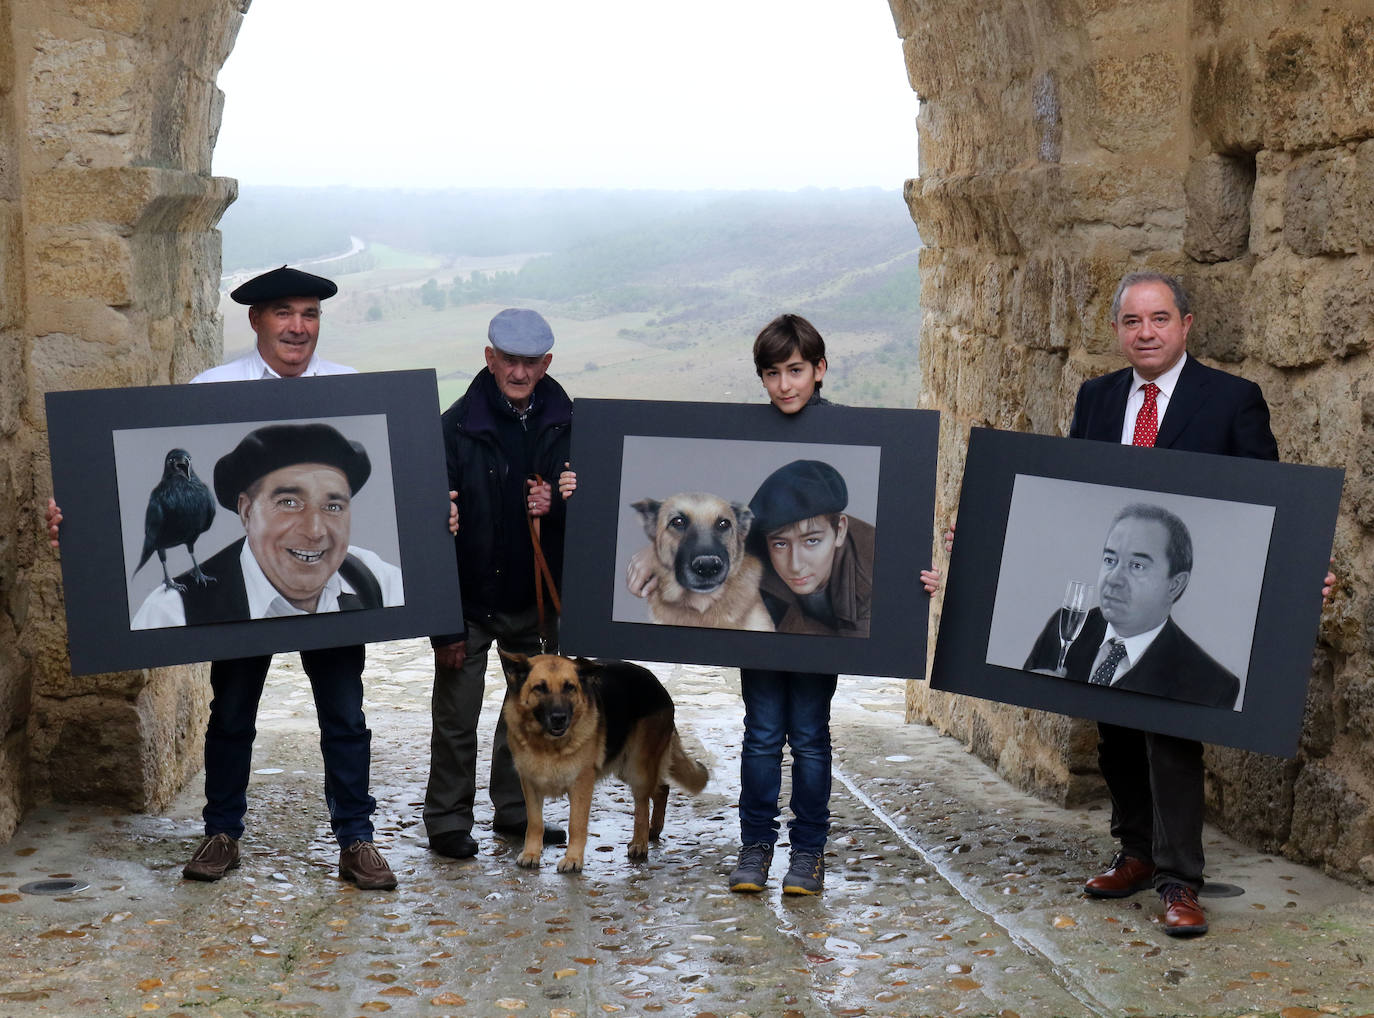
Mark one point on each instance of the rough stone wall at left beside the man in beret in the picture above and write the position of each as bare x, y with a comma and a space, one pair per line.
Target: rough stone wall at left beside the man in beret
109, 273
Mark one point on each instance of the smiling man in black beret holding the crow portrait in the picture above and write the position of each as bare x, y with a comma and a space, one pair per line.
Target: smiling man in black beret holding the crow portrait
285, 315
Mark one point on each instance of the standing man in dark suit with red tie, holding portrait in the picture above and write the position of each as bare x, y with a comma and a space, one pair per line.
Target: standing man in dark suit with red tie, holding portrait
1170, 400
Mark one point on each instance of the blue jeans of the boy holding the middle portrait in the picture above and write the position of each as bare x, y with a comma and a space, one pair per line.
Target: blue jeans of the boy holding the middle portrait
793, 708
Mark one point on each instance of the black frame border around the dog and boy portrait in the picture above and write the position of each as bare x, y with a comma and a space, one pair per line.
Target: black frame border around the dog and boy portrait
906, 446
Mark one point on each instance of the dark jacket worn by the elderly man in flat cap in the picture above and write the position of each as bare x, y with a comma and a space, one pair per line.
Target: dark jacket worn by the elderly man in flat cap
491, 454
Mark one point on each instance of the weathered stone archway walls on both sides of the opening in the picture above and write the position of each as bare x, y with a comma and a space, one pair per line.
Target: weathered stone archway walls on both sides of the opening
1061, 144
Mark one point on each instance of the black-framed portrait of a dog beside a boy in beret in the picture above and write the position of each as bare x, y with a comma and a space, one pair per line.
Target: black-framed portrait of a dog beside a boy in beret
725, 534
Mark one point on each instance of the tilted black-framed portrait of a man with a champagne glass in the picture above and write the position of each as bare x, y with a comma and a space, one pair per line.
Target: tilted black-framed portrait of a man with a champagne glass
1158, 590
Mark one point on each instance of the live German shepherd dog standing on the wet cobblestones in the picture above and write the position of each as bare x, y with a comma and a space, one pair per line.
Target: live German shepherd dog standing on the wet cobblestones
574, 722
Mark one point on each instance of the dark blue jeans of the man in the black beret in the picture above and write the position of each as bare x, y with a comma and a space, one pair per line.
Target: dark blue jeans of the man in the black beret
346, 741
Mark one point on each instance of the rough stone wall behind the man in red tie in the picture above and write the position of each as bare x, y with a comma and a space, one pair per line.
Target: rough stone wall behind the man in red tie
1232, 142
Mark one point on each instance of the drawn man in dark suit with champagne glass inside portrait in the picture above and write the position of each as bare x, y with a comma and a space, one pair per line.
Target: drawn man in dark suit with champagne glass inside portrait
1131, 642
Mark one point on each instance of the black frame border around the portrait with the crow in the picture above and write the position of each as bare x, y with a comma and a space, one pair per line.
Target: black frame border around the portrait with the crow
95, 532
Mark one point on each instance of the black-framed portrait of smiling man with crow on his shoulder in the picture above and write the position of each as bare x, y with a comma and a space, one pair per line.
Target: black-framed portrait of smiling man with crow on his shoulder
237, 519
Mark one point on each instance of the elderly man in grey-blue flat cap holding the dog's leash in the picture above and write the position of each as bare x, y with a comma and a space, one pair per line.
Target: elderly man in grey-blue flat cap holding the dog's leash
510, 428
